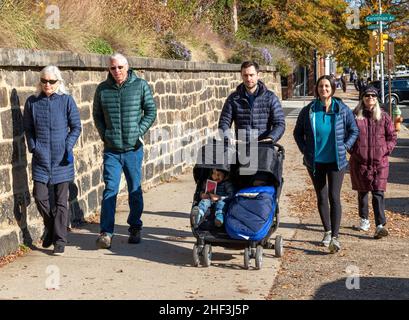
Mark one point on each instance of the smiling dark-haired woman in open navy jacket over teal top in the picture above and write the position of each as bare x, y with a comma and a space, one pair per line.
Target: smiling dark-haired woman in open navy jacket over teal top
324, 131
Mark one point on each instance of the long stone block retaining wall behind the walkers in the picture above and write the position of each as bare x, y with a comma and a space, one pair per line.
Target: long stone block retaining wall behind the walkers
189, 97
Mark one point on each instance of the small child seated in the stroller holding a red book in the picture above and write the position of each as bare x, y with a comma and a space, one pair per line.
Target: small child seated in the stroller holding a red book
222, 189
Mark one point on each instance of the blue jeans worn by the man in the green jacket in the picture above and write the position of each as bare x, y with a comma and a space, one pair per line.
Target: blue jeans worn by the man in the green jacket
131, 164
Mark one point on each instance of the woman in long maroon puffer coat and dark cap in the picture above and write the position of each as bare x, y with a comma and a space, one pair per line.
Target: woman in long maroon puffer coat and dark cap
369, 166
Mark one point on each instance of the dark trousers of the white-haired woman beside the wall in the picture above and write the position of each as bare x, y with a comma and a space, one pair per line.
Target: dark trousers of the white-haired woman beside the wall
56, 219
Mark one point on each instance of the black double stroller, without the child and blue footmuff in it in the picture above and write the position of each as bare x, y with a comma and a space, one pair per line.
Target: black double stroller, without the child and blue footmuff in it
270, 163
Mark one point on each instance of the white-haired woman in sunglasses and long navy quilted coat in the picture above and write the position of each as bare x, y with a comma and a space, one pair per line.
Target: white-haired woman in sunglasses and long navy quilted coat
52, 126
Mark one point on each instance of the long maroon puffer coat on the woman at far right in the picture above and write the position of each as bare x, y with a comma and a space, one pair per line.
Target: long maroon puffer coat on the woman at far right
369, 165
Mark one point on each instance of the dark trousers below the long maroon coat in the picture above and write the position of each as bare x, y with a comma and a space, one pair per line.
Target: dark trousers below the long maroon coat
378, 205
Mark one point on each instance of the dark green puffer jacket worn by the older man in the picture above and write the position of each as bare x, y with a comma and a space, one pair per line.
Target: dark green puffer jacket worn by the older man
123, 114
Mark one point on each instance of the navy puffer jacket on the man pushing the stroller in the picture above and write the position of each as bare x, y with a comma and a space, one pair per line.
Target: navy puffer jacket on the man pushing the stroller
266, 115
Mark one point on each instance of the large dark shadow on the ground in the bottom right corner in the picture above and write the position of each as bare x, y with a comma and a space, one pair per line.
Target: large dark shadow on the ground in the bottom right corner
367, 288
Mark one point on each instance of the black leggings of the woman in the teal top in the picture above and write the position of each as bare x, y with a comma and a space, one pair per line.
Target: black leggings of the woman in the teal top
328, 194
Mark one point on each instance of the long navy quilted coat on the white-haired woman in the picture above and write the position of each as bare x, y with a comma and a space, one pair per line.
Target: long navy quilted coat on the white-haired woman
52, 126
